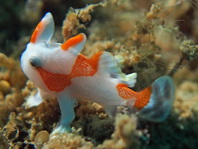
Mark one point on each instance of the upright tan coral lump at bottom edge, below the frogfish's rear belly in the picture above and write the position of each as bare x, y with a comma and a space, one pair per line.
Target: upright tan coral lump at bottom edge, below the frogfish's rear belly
125, 134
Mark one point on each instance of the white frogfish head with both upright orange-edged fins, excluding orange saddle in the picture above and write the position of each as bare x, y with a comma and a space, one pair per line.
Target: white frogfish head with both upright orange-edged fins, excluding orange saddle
53, 57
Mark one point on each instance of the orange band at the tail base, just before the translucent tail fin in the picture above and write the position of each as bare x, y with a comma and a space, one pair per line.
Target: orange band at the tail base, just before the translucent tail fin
142, 98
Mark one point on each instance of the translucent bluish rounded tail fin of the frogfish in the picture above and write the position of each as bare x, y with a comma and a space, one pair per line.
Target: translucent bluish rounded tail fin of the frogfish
161, 100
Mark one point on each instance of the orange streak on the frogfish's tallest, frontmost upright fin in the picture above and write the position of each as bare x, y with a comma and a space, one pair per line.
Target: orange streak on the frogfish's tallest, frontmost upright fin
37, 32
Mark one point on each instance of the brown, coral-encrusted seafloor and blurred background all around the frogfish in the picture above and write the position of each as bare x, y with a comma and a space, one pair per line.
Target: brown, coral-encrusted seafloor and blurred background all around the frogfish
155, 38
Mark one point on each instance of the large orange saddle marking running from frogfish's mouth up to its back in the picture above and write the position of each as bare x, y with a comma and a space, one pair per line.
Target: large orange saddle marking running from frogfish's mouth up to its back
82, 67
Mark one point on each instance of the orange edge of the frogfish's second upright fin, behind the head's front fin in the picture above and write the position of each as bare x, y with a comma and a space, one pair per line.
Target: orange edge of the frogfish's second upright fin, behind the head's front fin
72, 41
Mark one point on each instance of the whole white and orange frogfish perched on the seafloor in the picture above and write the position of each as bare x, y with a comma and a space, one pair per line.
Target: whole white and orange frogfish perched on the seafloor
61, 71
